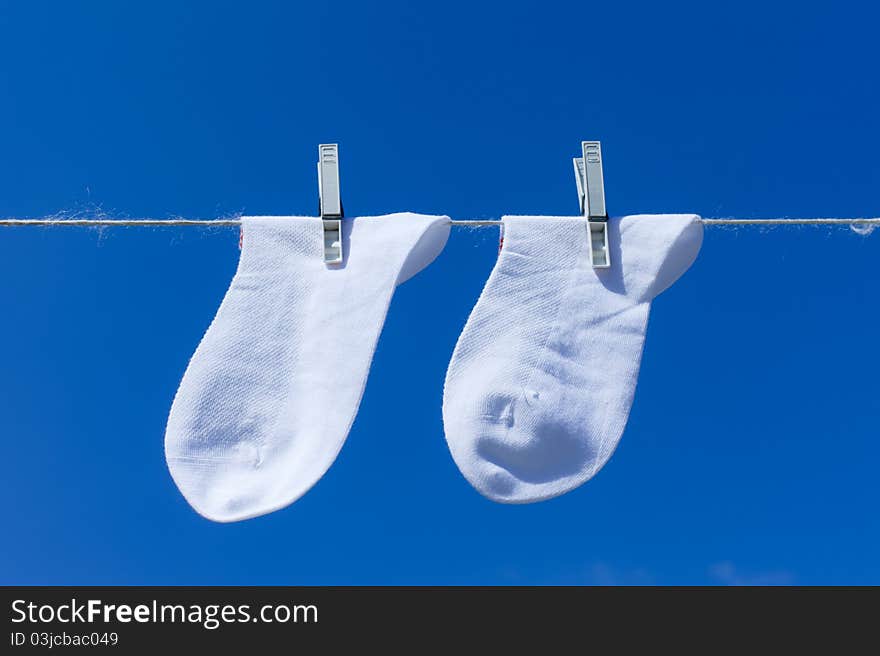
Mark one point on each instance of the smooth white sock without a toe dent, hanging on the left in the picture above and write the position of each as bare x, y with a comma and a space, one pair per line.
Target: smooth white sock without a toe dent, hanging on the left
268, 398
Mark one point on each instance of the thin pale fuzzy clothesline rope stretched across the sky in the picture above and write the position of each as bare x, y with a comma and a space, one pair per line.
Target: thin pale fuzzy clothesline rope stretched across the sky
475, 223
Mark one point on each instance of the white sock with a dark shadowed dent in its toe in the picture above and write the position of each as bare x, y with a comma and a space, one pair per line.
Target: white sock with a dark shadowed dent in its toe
542, 379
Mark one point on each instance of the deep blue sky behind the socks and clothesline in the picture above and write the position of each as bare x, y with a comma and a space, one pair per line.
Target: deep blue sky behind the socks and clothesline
751, 452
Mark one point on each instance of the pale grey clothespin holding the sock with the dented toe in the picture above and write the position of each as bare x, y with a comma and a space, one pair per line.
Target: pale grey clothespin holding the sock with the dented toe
591, 191
